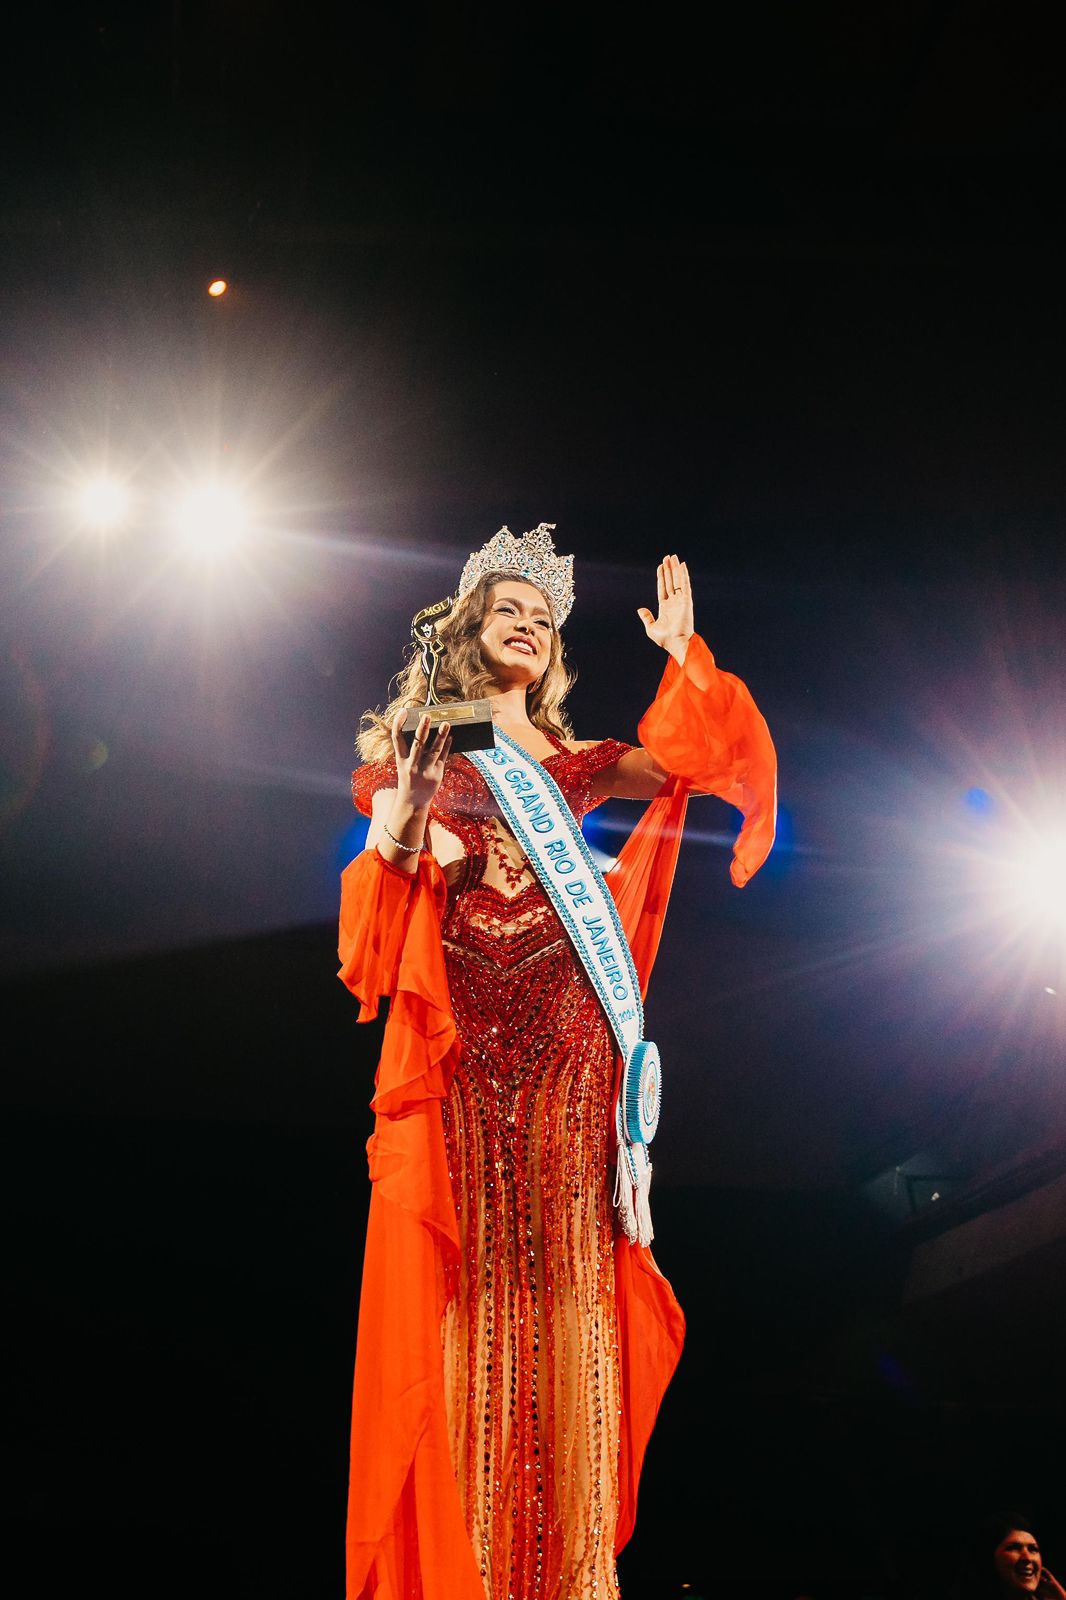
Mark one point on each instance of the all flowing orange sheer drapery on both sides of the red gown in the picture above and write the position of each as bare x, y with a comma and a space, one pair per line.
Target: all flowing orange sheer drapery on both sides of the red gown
406, 1534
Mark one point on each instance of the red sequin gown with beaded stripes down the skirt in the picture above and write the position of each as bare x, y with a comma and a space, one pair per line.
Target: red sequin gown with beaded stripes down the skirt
531, 1340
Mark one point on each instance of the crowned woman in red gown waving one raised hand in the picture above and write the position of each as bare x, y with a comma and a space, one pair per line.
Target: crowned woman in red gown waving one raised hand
513, 1345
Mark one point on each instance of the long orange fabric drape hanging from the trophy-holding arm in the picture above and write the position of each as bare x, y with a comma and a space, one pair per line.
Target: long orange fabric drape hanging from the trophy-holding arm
406, 1534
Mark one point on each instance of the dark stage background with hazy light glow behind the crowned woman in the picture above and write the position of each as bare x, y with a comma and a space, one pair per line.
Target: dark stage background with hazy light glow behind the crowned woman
775, 287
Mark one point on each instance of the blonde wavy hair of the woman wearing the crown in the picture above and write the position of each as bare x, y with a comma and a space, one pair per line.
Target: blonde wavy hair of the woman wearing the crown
463, 676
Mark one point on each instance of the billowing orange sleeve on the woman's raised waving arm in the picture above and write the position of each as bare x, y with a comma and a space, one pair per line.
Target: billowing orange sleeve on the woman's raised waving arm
707, 729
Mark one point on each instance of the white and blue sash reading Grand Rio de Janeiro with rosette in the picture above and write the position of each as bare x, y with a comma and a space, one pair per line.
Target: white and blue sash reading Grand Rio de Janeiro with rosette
548, 833
